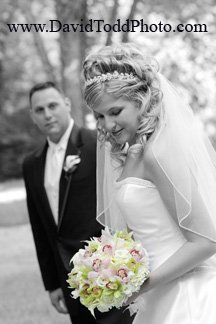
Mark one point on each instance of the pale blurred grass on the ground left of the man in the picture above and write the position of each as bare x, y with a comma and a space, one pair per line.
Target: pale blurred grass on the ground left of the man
23, 299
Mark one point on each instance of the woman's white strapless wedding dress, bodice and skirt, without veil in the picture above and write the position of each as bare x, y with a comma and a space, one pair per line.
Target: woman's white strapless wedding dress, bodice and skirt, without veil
191, 298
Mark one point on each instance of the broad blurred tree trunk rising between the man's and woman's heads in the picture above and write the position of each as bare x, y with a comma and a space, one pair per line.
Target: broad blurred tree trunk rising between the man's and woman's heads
72, 50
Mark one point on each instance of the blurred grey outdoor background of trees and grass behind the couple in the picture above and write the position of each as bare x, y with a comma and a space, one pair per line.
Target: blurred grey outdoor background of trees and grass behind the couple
188, 59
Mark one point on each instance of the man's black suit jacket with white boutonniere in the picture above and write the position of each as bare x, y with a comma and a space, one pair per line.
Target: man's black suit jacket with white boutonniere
55, 245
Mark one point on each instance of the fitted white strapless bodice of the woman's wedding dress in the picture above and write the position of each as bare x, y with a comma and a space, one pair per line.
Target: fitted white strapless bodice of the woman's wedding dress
146, 215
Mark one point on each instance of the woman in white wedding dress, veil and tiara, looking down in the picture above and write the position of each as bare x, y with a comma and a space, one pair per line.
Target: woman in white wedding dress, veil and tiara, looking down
157, 177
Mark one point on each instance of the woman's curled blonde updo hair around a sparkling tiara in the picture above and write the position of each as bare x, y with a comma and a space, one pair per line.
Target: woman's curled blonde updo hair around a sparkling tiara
122, 71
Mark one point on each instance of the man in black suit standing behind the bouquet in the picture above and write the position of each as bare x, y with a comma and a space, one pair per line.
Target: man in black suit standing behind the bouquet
61, 198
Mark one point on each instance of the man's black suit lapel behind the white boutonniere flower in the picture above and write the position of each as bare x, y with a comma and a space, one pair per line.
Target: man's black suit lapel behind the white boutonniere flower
74, 143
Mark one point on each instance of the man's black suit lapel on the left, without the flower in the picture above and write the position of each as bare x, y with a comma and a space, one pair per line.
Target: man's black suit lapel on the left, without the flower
39, 181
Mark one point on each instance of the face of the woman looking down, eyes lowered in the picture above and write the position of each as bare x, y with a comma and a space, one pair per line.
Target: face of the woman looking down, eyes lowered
119, 117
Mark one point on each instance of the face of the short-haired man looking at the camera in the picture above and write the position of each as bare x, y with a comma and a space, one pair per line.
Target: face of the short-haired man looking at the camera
50, 111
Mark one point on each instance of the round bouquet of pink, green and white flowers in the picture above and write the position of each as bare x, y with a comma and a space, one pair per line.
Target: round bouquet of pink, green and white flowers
108, 270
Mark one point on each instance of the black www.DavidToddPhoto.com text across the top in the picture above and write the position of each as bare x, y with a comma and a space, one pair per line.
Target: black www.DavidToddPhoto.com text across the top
99, 25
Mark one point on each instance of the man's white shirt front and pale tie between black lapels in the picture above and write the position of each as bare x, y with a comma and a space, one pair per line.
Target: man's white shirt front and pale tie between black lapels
53, 169
